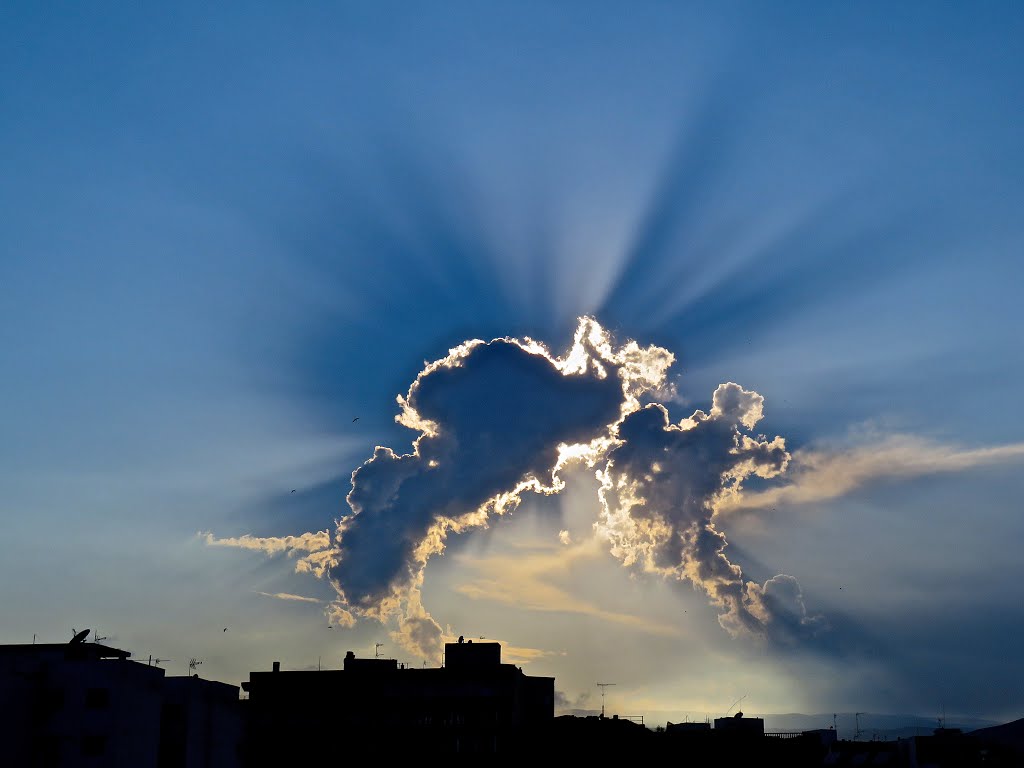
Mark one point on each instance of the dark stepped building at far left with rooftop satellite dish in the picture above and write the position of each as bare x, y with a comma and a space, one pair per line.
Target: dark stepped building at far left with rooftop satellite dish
83, 705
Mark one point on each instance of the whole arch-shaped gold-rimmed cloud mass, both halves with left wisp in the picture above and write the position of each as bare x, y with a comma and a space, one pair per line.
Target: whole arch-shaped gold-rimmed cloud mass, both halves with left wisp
495, 420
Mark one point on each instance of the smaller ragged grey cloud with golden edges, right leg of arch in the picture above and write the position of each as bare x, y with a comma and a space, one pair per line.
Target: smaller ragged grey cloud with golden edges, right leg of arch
662, 488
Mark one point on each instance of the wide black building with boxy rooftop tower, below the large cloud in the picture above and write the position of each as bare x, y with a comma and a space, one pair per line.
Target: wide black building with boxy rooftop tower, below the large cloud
474, 704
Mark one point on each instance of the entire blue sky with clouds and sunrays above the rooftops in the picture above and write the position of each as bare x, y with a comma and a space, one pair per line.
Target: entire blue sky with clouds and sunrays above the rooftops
675, 347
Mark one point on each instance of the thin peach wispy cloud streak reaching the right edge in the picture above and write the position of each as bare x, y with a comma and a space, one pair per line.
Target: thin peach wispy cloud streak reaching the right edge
820, 475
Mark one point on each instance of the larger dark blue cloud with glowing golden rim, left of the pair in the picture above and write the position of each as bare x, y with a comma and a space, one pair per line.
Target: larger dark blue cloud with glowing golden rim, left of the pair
496, 419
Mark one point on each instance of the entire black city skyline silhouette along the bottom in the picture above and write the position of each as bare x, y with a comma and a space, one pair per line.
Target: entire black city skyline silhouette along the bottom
80, 704
